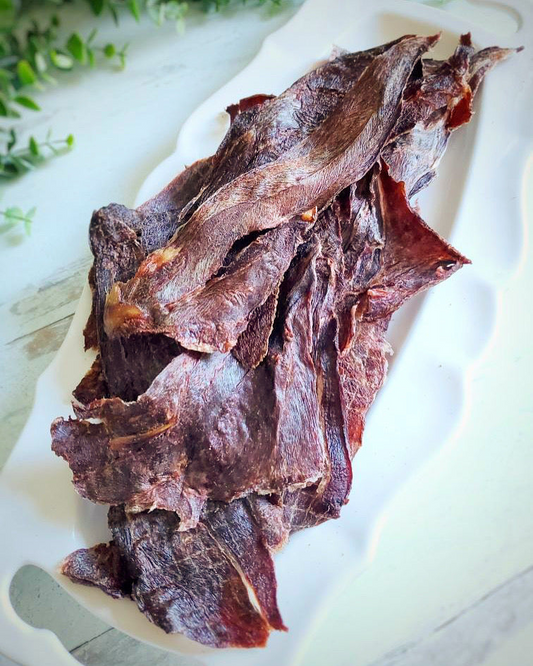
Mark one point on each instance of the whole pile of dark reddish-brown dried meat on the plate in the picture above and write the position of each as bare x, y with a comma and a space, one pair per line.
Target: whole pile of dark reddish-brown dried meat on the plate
240, 318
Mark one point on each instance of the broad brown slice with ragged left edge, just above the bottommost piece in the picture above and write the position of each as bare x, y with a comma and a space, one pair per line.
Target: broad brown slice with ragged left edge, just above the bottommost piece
206, 428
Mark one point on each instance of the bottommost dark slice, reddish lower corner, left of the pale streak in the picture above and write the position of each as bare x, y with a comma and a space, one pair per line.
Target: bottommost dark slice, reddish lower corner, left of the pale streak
184, 582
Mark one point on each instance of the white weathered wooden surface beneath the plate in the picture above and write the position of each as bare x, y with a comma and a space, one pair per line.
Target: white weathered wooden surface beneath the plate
451, 583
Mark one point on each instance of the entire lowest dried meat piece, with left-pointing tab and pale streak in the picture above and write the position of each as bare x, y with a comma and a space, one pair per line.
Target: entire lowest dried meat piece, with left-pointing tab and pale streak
203, 588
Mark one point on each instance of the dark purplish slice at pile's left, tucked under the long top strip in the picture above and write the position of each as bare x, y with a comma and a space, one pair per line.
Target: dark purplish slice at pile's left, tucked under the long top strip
120, 239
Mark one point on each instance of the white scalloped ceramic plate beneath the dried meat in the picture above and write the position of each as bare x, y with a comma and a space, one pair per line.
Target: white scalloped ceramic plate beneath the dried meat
475, 202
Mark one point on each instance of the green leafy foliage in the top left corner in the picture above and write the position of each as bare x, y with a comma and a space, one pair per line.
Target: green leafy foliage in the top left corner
34, 55
